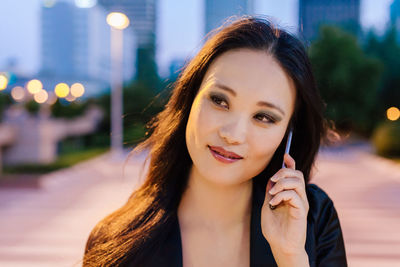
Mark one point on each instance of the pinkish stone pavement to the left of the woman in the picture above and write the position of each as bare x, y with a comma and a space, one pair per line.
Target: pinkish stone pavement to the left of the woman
50, 225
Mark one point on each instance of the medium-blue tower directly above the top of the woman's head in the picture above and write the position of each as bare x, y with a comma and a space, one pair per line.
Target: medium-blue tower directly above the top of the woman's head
217, 11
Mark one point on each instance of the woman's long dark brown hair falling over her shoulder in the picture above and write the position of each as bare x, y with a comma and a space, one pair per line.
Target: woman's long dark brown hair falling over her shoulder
135, 231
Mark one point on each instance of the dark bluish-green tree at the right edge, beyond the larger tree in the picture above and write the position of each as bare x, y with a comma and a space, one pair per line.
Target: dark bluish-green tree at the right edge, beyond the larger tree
387, 49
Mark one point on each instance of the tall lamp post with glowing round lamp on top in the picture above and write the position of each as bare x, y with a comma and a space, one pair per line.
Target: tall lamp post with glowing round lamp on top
118, 22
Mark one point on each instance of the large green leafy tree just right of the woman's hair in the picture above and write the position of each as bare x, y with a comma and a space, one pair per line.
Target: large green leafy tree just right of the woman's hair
347, 78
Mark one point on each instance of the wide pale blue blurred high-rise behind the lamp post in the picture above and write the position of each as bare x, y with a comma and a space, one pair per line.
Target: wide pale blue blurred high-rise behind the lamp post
76, 47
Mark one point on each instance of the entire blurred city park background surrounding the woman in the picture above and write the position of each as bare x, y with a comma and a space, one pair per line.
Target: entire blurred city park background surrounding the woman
80, 79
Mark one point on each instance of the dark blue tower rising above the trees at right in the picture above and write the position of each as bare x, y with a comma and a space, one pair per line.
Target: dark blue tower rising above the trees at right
314, 13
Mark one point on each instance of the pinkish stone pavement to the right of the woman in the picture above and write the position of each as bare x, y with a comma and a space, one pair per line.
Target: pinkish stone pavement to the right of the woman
366, 192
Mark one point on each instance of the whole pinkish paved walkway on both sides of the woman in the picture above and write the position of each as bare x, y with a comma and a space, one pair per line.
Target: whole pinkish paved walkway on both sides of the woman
49, 226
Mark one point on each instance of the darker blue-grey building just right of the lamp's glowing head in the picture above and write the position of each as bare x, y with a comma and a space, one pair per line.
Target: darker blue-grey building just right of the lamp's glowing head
142, 16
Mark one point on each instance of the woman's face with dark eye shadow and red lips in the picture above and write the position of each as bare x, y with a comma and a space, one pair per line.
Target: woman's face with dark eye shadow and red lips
243, 106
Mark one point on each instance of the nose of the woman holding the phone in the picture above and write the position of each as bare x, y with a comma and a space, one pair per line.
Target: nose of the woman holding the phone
234, 132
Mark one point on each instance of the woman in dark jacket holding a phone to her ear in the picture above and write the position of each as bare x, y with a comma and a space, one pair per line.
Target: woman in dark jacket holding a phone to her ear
216, 193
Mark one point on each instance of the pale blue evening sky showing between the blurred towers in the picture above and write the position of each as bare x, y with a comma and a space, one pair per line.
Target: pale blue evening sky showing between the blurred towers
180, 27
